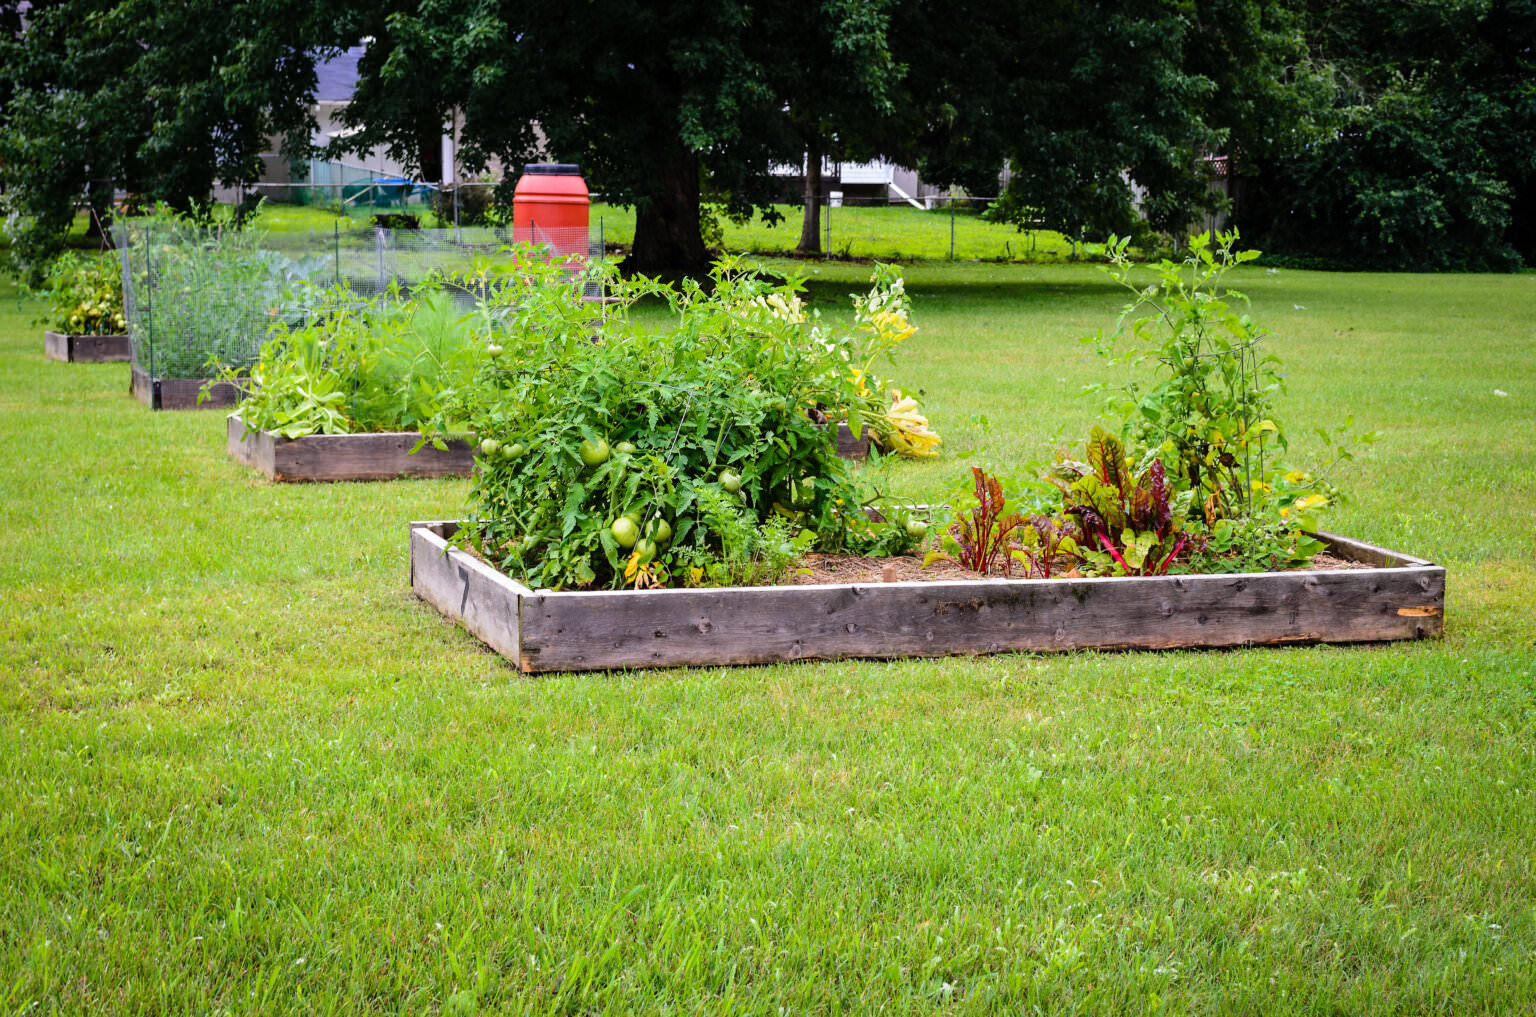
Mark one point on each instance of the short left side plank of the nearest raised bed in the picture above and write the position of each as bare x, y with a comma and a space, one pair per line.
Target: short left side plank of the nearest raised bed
466, 589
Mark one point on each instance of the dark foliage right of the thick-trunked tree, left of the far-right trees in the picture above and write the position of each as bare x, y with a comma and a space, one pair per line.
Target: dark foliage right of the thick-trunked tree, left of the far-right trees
1099, 108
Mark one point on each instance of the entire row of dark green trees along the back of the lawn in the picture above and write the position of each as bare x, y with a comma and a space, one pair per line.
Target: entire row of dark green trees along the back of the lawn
1385, 134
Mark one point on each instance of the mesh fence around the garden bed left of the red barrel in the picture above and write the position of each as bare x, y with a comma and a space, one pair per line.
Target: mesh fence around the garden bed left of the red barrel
199, 300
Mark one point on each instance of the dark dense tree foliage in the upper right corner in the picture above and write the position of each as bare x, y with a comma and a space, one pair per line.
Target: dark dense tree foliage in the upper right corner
1428, 159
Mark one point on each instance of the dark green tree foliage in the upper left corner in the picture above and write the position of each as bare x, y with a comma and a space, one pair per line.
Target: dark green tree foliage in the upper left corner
162, 101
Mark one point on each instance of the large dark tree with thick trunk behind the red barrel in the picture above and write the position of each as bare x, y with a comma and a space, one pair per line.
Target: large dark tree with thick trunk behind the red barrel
661, 105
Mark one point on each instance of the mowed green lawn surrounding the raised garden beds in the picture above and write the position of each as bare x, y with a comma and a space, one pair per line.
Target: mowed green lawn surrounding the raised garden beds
250, 774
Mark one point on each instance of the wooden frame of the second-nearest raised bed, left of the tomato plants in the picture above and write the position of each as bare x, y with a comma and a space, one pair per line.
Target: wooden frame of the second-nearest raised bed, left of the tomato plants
346, 457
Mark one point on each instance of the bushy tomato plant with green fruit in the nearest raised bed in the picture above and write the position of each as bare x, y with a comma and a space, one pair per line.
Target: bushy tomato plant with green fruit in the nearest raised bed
612, 452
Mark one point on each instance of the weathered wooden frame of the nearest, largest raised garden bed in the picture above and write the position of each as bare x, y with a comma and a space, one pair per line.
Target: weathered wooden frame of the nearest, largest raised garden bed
1397, 597
